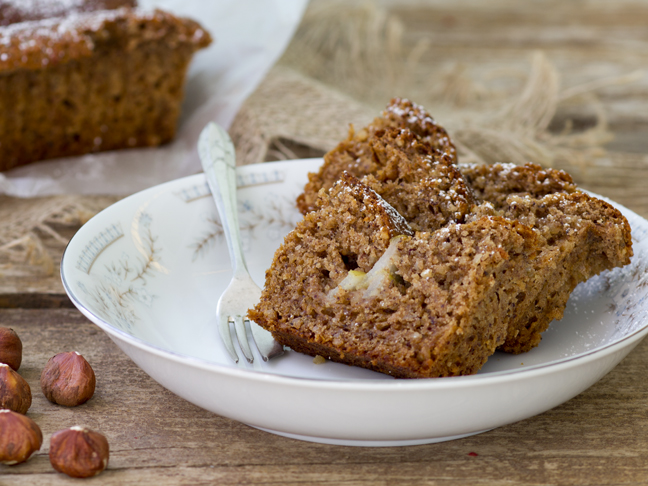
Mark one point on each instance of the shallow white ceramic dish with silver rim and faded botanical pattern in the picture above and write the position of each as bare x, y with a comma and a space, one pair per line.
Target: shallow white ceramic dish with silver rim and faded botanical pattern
149, 270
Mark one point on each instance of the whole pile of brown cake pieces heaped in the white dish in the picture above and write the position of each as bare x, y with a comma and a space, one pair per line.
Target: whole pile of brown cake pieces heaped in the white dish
410, 264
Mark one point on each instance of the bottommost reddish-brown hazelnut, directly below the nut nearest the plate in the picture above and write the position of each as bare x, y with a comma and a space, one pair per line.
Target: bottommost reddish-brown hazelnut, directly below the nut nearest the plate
79, 452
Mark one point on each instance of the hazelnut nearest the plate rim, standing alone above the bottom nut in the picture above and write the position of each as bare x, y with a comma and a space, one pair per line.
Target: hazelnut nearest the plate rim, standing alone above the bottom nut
68, 379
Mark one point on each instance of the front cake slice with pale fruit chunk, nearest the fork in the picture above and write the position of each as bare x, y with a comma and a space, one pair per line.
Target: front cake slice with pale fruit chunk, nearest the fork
352, 283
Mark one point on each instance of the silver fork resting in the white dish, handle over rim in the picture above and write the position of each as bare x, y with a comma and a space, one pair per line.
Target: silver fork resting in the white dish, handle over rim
216, 153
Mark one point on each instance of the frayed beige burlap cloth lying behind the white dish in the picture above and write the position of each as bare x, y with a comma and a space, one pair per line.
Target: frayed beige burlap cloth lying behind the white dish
343, 66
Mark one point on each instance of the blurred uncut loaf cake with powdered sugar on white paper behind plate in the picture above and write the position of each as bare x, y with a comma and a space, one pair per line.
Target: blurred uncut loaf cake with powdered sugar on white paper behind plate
91, 80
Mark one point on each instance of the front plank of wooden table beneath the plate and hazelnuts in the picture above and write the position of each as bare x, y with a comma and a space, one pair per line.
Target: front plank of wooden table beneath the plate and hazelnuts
599, 437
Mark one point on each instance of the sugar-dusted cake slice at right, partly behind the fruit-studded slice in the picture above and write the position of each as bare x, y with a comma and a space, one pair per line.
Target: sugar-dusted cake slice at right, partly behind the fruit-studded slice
581, 236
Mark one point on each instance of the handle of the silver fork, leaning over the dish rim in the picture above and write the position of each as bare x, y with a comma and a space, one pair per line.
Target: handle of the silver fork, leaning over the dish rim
215, 146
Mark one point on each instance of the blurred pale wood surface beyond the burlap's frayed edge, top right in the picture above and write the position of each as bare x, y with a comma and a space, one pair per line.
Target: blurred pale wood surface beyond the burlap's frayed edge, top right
588, 40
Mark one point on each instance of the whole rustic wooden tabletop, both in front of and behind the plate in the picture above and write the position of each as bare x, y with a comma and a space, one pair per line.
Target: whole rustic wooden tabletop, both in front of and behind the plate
599, 437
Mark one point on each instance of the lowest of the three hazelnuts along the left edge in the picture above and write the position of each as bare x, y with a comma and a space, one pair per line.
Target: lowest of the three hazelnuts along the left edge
20, 437
